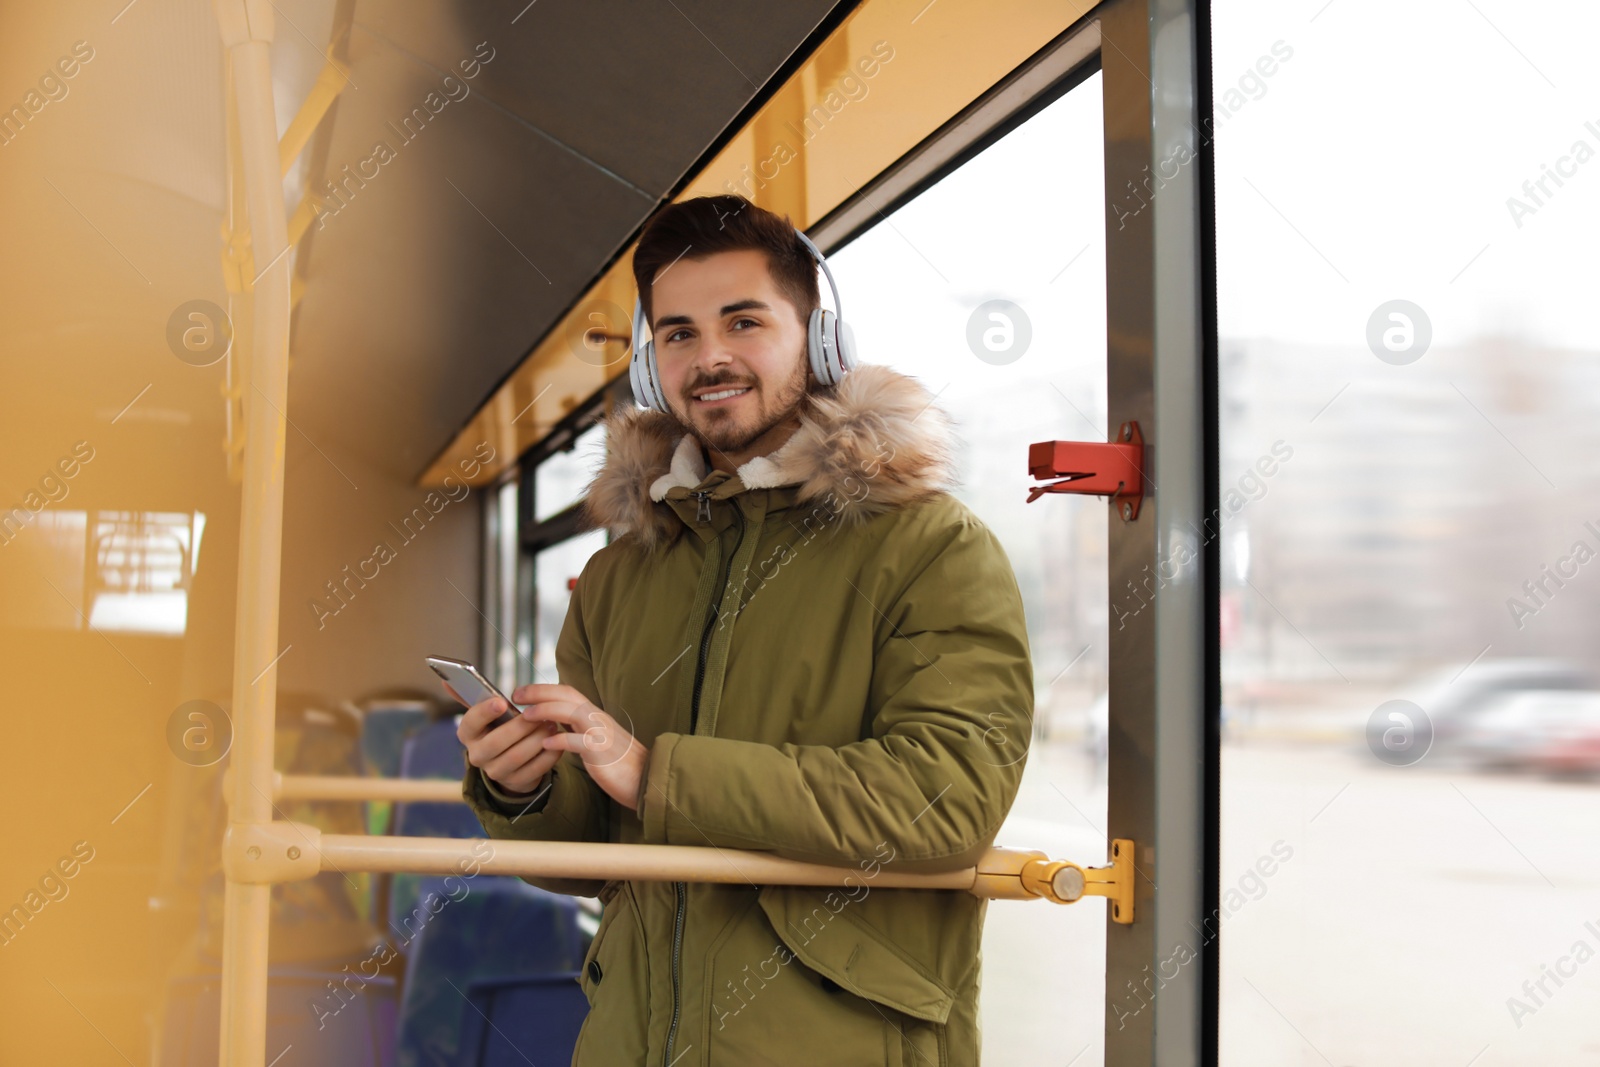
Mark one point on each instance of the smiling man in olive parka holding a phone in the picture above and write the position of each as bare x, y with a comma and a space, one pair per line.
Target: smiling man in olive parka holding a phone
801, 642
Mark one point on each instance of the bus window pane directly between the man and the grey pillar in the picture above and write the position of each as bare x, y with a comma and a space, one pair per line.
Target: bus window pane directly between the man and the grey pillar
991, 290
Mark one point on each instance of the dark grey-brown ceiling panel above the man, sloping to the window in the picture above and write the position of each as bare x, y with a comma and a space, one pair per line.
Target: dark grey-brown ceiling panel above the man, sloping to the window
447, 263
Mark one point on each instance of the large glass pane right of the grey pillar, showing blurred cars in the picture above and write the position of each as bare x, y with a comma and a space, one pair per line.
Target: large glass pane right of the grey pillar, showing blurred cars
1410, 406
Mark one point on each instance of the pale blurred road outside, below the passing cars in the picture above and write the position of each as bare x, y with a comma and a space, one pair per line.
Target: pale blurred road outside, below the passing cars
1402, 929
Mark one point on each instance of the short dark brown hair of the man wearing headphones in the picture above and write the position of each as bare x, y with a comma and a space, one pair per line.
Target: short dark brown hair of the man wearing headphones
706, 226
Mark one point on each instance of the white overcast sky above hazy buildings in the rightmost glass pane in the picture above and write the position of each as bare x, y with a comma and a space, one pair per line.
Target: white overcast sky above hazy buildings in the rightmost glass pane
1385, 151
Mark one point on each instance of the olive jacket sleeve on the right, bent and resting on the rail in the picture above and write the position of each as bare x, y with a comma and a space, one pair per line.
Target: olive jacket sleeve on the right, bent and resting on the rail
951, 716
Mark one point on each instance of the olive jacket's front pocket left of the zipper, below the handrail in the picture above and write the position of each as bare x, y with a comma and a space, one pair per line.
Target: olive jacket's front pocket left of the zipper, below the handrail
615, 978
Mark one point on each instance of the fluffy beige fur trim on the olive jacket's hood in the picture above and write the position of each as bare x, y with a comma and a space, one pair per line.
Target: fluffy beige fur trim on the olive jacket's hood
873, 444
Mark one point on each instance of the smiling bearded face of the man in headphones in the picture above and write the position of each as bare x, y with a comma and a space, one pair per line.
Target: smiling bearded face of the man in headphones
722, 327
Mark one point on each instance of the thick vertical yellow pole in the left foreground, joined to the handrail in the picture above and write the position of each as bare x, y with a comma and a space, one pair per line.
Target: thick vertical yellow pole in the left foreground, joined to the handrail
247, 33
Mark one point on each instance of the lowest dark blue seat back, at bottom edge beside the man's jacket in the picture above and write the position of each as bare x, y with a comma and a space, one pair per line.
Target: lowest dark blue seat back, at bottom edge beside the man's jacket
511, 1023
